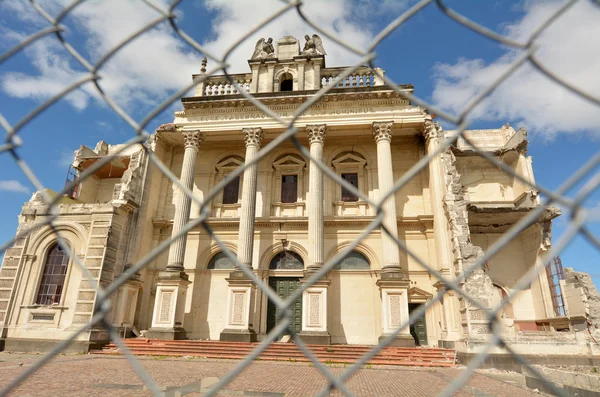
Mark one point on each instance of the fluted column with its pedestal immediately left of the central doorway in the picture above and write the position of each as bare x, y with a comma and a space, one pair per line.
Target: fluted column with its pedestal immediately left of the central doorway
241, 290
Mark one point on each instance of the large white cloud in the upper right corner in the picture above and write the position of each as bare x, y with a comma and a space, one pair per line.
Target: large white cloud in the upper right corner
568, 48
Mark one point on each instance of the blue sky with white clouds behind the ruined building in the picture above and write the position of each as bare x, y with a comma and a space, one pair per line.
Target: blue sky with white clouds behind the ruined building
446, 62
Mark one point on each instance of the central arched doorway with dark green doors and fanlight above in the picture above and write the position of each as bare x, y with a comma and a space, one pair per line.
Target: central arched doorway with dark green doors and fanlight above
284, 285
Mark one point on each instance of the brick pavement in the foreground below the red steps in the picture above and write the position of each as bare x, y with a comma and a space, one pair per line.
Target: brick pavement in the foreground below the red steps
88, 375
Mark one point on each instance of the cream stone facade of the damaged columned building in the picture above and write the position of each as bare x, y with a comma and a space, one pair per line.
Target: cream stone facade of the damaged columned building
283, 220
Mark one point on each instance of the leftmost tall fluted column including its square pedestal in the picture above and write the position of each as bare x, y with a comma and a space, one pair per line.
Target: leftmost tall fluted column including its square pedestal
171, 290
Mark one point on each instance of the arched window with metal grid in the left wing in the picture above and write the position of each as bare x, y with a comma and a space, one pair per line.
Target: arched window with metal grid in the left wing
53, 277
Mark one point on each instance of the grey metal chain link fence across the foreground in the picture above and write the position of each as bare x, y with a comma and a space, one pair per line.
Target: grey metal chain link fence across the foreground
366, 56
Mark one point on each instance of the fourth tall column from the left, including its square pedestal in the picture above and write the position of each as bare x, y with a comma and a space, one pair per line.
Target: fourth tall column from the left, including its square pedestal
393, 284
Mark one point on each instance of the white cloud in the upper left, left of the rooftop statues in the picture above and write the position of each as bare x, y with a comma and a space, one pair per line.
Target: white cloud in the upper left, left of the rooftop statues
145, 71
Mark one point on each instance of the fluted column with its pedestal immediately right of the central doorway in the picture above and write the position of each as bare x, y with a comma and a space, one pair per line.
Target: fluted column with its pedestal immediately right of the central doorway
314, 298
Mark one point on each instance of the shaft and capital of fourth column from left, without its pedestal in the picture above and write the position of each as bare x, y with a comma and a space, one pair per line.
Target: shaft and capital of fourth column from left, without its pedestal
382, 132
